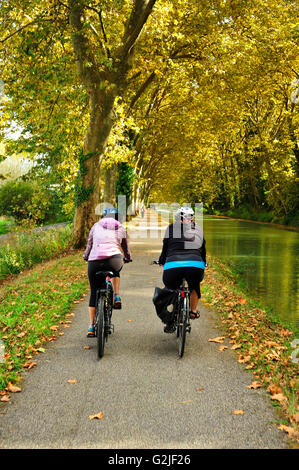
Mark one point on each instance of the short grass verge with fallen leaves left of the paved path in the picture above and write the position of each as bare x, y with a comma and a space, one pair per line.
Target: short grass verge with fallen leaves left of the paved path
35, 307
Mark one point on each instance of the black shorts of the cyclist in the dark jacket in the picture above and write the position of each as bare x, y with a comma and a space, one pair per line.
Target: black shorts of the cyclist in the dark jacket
173, 277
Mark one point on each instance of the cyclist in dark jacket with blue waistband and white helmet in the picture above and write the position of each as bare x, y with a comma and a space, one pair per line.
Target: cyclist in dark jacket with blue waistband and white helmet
184, 256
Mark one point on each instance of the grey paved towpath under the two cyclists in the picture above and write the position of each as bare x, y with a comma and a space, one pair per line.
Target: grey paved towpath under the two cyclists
148, 396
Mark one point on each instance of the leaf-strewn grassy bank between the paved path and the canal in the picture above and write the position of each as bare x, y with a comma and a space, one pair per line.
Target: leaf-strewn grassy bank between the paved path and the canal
262, 343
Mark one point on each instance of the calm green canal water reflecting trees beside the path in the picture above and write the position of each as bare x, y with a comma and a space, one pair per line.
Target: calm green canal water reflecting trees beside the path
266, 258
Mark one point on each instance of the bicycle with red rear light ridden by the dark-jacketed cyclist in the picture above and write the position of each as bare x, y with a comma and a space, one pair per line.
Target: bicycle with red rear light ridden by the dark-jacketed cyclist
182, 314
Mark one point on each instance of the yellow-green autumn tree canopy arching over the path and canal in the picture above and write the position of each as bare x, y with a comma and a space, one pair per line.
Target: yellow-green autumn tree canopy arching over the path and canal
199, 98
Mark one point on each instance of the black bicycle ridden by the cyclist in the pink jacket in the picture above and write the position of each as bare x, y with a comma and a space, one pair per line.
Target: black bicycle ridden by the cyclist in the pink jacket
103, 313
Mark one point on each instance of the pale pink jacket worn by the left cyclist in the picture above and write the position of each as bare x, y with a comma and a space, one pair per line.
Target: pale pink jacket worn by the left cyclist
106, 238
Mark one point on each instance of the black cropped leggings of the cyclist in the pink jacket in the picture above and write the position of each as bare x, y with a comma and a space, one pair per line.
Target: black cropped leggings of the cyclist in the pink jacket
114, 264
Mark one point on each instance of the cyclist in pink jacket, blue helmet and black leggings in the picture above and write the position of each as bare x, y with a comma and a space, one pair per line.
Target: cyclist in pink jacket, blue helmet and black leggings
106, 241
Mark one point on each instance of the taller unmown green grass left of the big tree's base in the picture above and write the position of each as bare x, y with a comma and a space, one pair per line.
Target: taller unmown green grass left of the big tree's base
28, 248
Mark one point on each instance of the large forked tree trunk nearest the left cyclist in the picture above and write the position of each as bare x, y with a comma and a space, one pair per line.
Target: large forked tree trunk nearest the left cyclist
103, 85
